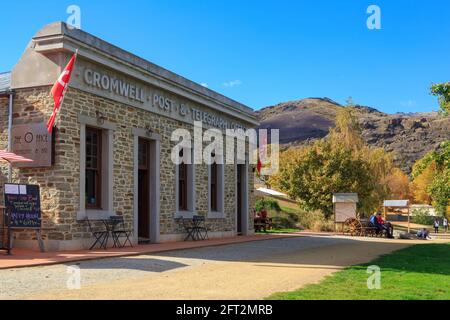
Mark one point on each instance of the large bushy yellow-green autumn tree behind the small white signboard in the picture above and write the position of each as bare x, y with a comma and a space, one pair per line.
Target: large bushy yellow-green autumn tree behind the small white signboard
342, 162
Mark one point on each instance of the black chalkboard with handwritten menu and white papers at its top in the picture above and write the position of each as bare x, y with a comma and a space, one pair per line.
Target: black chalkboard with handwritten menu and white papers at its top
23, 204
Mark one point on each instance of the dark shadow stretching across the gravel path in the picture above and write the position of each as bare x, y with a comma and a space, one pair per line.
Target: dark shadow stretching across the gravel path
292, 252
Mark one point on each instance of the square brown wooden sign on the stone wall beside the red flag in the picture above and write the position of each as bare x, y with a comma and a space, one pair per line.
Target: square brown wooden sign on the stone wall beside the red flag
33, 141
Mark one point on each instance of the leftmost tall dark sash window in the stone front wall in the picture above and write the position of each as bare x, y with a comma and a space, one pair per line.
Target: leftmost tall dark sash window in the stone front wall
93, 176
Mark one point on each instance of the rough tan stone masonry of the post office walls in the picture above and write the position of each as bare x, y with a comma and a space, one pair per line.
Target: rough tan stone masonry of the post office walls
60, 183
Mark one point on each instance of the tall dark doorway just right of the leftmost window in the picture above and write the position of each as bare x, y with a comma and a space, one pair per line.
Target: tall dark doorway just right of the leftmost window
144, 191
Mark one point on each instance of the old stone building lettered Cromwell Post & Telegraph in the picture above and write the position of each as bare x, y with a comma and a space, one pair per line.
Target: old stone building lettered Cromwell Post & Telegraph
111, 151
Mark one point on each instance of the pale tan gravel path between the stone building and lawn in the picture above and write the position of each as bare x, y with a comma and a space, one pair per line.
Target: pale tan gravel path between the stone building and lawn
226, 272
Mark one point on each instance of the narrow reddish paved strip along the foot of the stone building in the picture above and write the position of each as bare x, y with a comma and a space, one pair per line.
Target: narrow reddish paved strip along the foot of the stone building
21, 258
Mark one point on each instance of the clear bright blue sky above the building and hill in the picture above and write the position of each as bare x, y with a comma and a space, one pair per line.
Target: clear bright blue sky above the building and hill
265, 52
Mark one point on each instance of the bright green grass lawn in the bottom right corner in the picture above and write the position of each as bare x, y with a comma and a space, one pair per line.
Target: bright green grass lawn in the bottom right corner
420, 272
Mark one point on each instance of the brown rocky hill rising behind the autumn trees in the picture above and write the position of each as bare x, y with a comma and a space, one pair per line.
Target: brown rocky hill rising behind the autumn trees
408, 136
